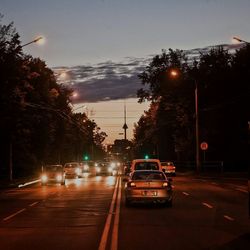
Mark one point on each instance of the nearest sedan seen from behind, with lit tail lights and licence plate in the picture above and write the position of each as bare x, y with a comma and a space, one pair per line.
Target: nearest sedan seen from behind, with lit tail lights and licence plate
148, 186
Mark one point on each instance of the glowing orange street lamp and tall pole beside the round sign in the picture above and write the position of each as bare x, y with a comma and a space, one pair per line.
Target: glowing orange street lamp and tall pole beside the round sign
174, 74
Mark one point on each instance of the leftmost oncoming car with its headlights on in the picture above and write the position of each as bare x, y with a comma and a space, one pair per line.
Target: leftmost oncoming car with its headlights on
53, 174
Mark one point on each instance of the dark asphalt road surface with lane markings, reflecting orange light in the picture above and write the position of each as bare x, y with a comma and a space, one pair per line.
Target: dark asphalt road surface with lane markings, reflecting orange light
89, 213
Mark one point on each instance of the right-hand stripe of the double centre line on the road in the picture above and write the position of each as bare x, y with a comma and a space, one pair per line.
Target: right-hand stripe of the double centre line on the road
114, 239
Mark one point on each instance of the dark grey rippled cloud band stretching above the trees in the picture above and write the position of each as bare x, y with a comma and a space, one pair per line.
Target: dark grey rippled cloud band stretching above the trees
114, 80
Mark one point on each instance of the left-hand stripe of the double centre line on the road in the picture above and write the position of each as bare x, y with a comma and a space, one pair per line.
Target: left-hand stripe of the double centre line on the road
104, 238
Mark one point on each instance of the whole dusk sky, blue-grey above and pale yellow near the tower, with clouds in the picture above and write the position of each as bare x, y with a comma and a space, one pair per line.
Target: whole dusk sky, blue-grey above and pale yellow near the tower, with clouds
104, 44
